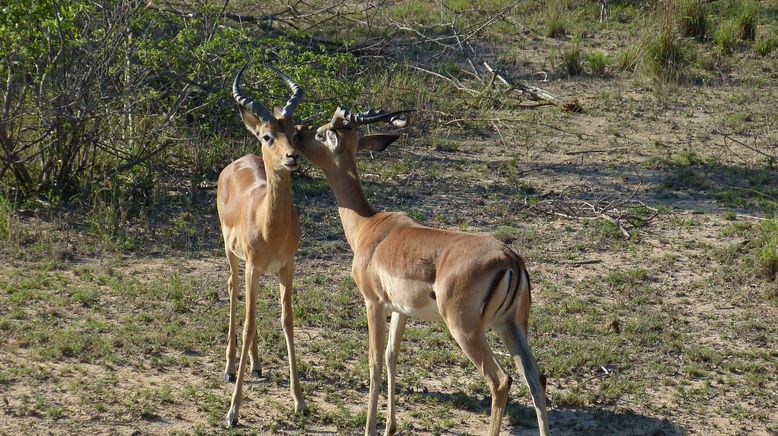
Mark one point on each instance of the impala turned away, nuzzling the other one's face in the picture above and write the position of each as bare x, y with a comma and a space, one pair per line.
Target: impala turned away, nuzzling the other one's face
472, 282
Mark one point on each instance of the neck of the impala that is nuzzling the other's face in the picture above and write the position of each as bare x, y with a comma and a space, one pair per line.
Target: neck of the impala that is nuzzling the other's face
353, 207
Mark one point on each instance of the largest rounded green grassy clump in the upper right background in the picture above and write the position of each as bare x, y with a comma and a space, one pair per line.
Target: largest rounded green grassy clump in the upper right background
665, 55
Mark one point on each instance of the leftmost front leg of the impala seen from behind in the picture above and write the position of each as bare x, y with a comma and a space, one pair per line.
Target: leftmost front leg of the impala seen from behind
376, 326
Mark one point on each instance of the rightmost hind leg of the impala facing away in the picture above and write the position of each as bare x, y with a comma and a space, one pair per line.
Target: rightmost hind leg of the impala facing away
515, 339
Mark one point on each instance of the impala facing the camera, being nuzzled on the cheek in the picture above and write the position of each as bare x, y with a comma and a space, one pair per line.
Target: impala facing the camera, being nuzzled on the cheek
260, 226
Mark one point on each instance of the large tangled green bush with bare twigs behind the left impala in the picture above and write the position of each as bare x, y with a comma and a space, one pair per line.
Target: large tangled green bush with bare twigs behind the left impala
99, 106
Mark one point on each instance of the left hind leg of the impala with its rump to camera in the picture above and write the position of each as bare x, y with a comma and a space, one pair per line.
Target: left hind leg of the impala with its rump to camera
475, 346
